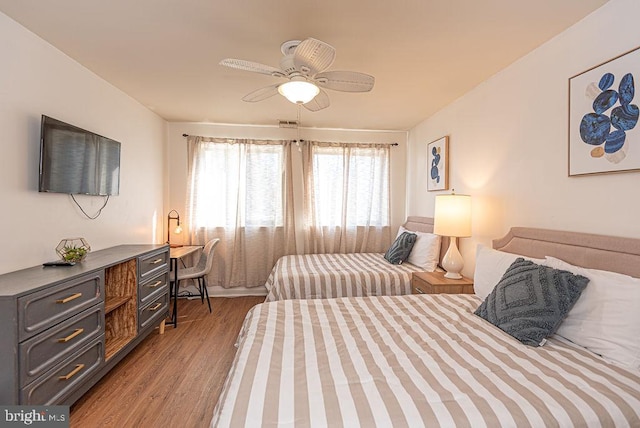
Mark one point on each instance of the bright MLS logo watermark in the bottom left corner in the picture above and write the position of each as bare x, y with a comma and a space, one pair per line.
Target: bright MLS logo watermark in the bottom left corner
34, 416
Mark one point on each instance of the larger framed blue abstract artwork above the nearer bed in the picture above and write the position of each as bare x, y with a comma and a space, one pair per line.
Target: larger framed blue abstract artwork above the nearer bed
603, 117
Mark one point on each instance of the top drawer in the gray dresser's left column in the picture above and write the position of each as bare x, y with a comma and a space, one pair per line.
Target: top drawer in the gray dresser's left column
45, 308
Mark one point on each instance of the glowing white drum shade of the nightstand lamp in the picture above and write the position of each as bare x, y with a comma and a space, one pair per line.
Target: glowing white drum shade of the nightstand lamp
452, 215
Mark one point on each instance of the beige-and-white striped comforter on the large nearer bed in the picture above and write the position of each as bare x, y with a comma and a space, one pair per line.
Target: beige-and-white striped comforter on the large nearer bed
412, 361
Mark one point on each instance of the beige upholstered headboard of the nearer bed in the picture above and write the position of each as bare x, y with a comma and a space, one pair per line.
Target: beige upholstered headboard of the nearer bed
582, 249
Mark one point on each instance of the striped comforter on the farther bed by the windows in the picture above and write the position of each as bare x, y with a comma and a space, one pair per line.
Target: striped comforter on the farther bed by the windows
315, 276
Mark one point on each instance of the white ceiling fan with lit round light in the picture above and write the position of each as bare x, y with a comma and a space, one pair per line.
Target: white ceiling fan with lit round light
304, 64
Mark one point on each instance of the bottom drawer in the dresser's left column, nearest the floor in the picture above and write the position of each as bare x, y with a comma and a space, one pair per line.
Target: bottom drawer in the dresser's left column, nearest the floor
56, 384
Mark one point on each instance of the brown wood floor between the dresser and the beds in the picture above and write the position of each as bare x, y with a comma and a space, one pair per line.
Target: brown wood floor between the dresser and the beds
170, 380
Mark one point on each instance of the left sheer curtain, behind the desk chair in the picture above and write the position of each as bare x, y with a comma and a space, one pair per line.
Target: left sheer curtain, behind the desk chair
241, 192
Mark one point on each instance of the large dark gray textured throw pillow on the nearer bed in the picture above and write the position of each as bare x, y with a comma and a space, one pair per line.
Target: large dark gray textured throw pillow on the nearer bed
531, 300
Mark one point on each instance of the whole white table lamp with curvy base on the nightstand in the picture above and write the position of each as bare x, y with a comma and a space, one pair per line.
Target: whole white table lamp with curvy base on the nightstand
452, 218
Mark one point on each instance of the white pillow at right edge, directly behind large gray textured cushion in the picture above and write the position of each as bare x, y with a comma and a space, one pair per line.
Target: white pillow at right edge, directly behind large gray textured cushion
606, 318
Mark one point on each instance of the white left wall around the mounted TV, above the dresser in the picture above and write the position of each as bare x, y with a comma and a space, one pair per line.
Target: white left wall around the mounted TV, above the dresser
36, 79
